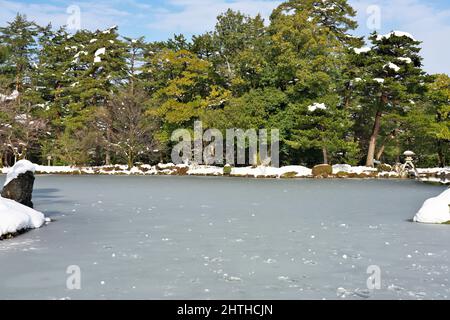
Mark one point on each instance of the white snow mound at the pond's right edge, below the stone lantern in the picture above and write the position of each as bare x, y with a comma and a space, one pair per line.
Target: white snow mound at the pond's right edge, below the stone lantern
435, 210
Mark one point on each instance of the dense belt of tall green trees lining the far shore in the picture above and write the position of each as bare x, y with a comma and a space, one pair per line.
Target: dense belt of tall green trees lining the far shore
97, 97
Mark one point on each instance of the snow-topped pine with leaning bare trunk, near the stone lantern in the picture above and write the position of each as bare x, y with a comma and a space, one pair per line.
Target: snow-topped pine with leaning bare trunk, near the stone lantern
391, 77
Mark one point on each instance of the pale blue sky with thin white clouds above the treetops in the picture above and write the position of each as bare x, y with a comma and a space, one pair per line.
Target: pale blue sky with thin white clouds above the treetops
427, 20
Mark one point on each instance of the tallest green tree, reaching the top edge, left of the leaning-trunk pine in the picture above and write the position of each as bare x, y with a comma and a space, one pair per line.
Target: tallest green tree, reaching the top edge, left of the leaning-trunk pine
306, 55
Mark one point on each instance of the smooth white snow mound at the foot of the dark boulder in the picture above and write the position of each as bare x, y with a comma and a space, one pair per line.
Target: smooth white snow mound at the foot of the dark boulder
15, 217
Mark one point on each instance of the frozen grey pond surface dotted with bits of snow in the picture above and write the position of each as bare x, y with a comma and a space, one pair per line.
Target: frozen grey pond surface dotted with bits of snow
227, 238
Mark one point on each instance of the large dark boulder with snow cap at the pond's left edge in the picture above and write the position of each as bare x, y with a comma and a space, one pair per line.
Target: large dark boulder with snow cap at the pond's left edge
20, 189
